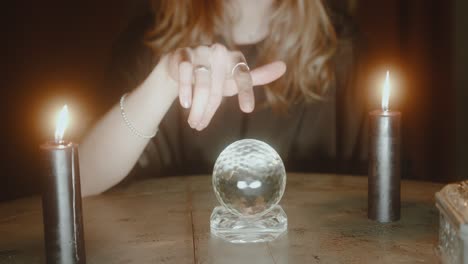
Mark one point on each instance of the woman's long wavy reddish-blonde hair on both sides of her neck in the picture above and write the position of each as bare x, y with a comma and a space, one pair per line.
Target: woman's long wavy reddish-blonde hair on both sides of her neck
301, 34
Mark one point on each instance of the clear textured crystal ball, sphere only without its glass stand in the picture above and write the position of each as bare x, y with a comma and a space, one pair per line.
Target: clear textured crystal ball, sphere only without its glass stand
249, 178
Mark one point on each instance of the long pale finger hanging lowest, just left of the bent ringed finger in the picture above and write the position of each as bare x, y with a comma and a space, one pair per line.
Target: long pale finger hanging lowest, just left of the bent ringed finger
218, 60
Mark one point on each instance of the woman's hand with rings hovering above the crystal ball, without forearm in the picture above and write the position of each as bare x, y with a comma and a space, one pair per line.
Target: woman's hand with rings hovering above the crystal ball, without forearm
205, 74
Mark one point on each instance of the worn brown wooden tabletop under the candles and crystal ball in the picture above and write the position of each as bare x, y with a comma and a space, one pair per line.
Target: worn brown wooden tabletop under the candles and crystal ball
167, 221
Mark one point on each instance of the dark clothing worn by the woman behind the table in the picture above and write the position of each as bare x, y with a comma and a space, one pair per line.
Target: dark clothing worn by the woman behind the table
324, 136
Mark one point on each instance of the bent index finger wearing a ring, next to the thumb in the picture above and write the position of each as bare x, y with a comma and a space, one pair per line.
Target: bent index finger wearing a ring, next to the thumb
243, 80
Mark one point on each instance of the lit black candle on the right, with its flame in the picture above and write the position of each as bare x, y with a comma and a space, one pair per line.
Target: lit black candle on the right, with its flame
384, 162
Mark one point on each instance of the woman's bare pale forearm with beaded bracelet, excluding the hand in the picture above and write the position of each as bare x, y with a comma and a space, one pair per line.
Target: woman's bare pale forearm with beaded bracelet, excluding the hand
111, 149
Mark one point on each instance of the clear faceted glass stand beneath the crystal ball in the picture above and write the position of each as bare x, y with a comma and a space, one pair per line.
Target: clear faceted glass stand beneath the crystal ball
238, 229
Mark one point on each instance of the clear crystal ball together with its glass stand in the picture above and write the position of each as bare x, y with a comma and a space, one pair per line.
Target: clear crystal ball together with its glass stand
249, 180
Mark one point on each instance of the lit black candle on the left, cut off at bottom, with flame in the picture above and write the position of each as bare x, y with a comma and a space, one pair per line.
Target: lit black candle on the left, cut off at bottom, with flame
61, 200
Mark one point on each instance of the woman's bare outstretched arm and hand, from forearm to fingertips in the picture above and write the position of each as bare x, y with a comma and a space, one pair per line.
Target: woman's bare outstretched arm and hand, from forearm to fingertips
204, 75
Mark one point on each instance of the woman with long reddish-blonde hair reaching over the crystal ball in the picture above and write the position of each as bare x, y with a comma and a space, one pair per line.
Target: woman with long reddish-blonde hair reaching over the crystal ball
203, 53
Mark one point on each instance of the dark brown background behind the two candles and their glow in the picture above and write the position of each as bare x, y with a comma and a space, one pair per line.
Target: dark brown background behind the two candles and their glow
58, 51
